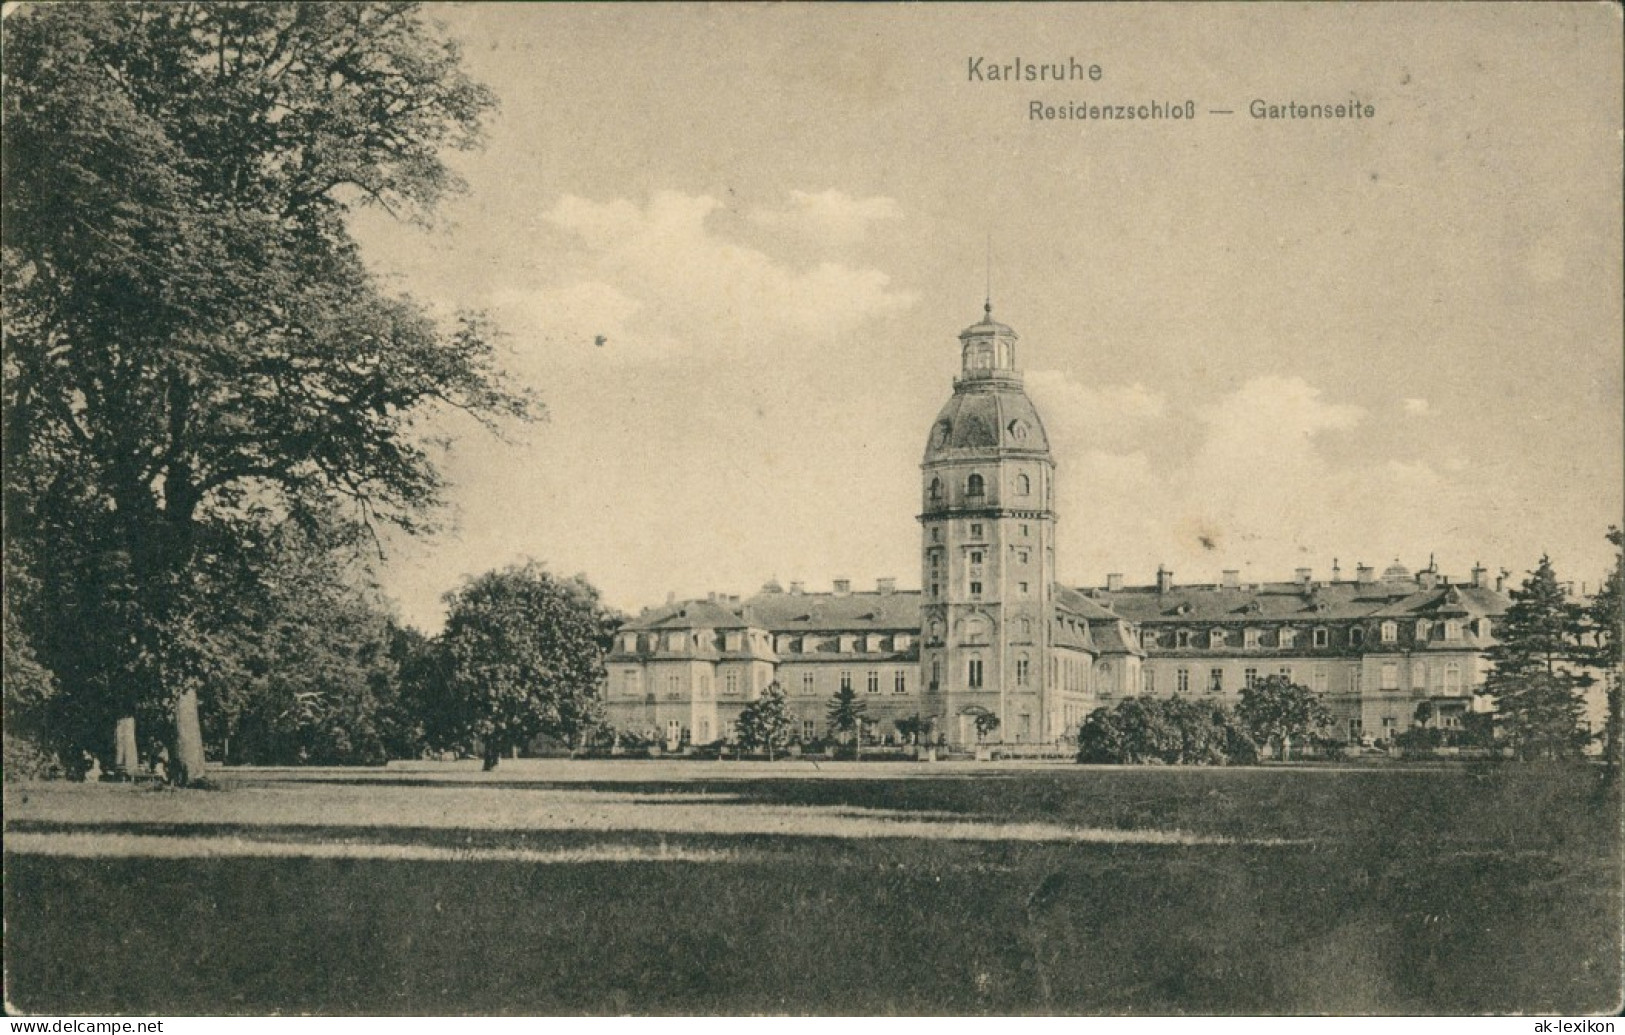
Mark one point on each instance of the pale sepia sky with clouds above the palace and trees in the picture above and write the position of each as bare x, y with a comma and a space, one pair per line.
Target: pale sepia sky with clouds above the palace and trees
1255, 344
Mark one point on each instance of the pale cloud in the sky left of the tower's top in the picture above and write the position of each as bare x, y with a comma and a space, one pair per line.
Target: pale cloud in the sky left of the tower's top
657, 279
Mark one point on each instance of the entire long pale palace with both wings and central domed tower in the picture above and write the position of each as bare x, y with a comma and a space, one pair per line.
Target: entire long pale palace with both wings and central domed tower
992, 631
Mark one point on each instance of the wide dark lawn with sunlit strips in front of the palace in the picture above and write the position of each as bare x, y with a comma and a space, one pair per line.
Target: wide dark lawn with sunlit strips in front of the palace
678, 888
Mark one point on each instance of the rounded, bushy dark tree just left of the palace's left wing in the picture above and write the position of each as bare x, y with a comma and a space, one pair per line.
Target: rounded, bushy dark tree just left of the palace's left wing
521, 656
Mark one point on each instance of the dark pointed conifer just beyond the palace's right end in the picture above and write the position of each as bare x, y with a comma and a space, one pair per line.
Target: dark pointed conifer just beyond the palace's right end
1535, 682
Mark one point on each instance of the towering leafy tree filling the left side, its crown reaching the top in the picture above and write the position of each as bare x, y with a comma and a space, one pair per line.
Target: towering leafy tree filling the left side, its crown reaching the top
194, 349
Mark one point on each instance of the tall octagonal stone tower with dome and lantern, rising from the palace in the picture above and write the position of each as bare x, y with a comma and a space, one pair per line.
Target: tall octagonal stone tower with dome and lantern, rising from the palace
987, 548
